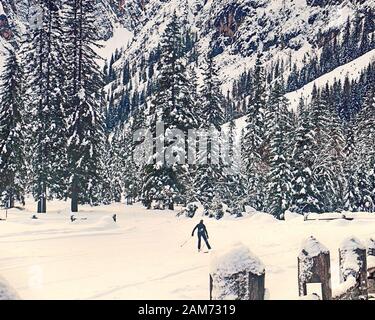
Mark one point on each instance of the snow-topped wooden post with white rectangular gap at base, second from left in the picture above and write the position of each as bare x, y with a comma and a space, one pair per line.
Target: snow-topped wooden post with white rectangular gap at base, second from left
314, 267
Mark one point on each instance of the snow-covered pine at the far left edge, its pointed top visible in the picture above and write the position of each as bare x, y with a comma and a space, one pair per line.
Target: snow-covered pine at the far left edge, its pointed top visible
12, 149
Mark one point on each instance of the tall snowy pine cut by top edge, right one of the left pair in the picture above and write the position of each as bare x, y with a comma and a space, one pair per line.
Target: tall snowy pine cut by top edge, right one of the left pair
85, 99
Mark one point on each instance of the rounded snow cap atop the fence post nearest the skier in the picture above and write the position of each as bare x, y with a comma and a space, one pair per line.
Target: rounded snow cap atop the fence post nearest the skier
236, 259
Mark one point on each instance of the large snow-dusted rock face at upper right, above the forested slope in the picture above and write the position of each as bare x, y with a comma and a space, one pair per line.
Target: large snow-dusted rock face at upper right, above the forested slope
236, 30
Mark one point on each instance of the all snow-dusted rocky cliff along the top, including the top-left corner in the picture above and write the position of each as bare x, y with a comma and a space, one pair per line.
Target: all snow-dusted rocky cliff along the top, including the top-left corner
233, 29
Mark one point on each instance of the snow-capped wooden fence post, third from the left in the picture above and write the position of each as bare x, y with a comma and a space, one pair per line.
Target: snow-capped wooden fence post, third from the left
353, 263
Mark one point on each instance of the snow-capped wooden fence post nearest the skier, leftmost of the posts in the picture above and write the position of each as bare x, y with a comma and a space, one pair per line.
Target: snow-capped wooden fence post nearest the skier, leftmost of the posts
236, 274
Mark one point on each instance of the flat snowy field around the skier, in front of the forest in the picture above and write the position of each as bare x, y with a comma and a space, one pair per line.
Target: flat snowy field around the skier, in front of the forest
140, 257
